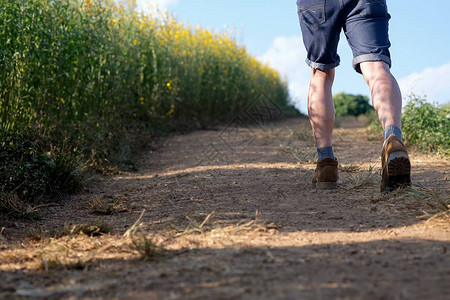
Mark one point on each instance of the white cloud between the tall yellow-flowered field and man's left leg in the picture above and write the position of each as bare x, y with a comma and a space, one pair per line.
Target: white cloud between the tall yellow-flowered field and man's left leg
287, 55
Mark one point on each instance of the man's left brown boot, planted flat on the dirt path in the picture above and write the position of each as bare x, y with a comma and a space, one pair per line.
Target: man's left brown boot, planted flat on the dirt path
326, 174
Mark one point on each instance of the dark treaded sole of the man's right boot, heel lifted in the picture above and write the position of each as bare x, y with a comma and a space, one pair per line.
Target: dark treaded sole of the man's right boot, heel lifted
399, 171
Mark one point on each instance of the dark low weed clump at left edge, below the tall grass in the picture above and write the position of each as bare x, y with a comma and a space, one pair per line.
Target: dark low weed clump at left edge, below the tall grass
30, 170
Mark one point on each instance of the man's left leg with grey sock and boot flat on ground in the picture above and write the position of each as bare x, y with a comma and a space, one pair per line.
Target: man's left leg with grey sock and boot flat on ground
321, 116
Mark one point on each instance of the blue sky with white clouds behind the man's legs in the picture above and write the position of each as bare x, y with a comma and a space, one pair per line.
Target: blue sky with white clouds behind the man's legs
419, 33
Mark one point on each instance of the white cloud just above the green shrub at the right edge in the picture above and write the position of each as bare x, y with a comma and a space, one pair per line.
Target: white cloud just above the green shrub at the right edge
432, 82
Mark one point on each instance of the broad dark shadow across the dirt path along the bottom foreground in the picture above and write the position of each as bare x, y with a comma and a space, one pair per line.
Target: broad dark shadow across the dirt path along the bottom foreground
394, 269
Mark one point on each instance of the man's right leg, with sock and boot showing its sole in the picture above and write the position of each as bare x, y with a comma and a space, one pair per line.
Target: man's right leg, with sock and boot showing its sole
387, 101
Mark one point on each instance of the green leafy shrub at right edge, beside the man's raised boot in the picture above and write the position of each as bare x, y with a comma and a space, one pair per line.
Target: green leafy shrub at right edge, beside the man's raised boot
426, 125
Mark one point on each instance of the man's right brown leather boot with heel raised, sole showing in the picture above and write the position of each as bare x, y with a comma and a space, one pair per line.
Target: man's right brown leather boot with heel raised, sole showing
396, 167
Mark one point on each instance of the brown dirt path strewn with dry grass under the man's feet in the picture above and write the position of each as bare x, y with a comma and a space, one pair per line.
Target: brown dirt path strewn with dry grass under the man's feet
230, 214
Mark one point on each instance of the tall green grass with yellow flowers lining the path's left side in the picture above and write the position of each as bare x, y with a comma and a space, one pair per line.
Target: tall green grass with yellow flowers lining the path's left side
86, 77
